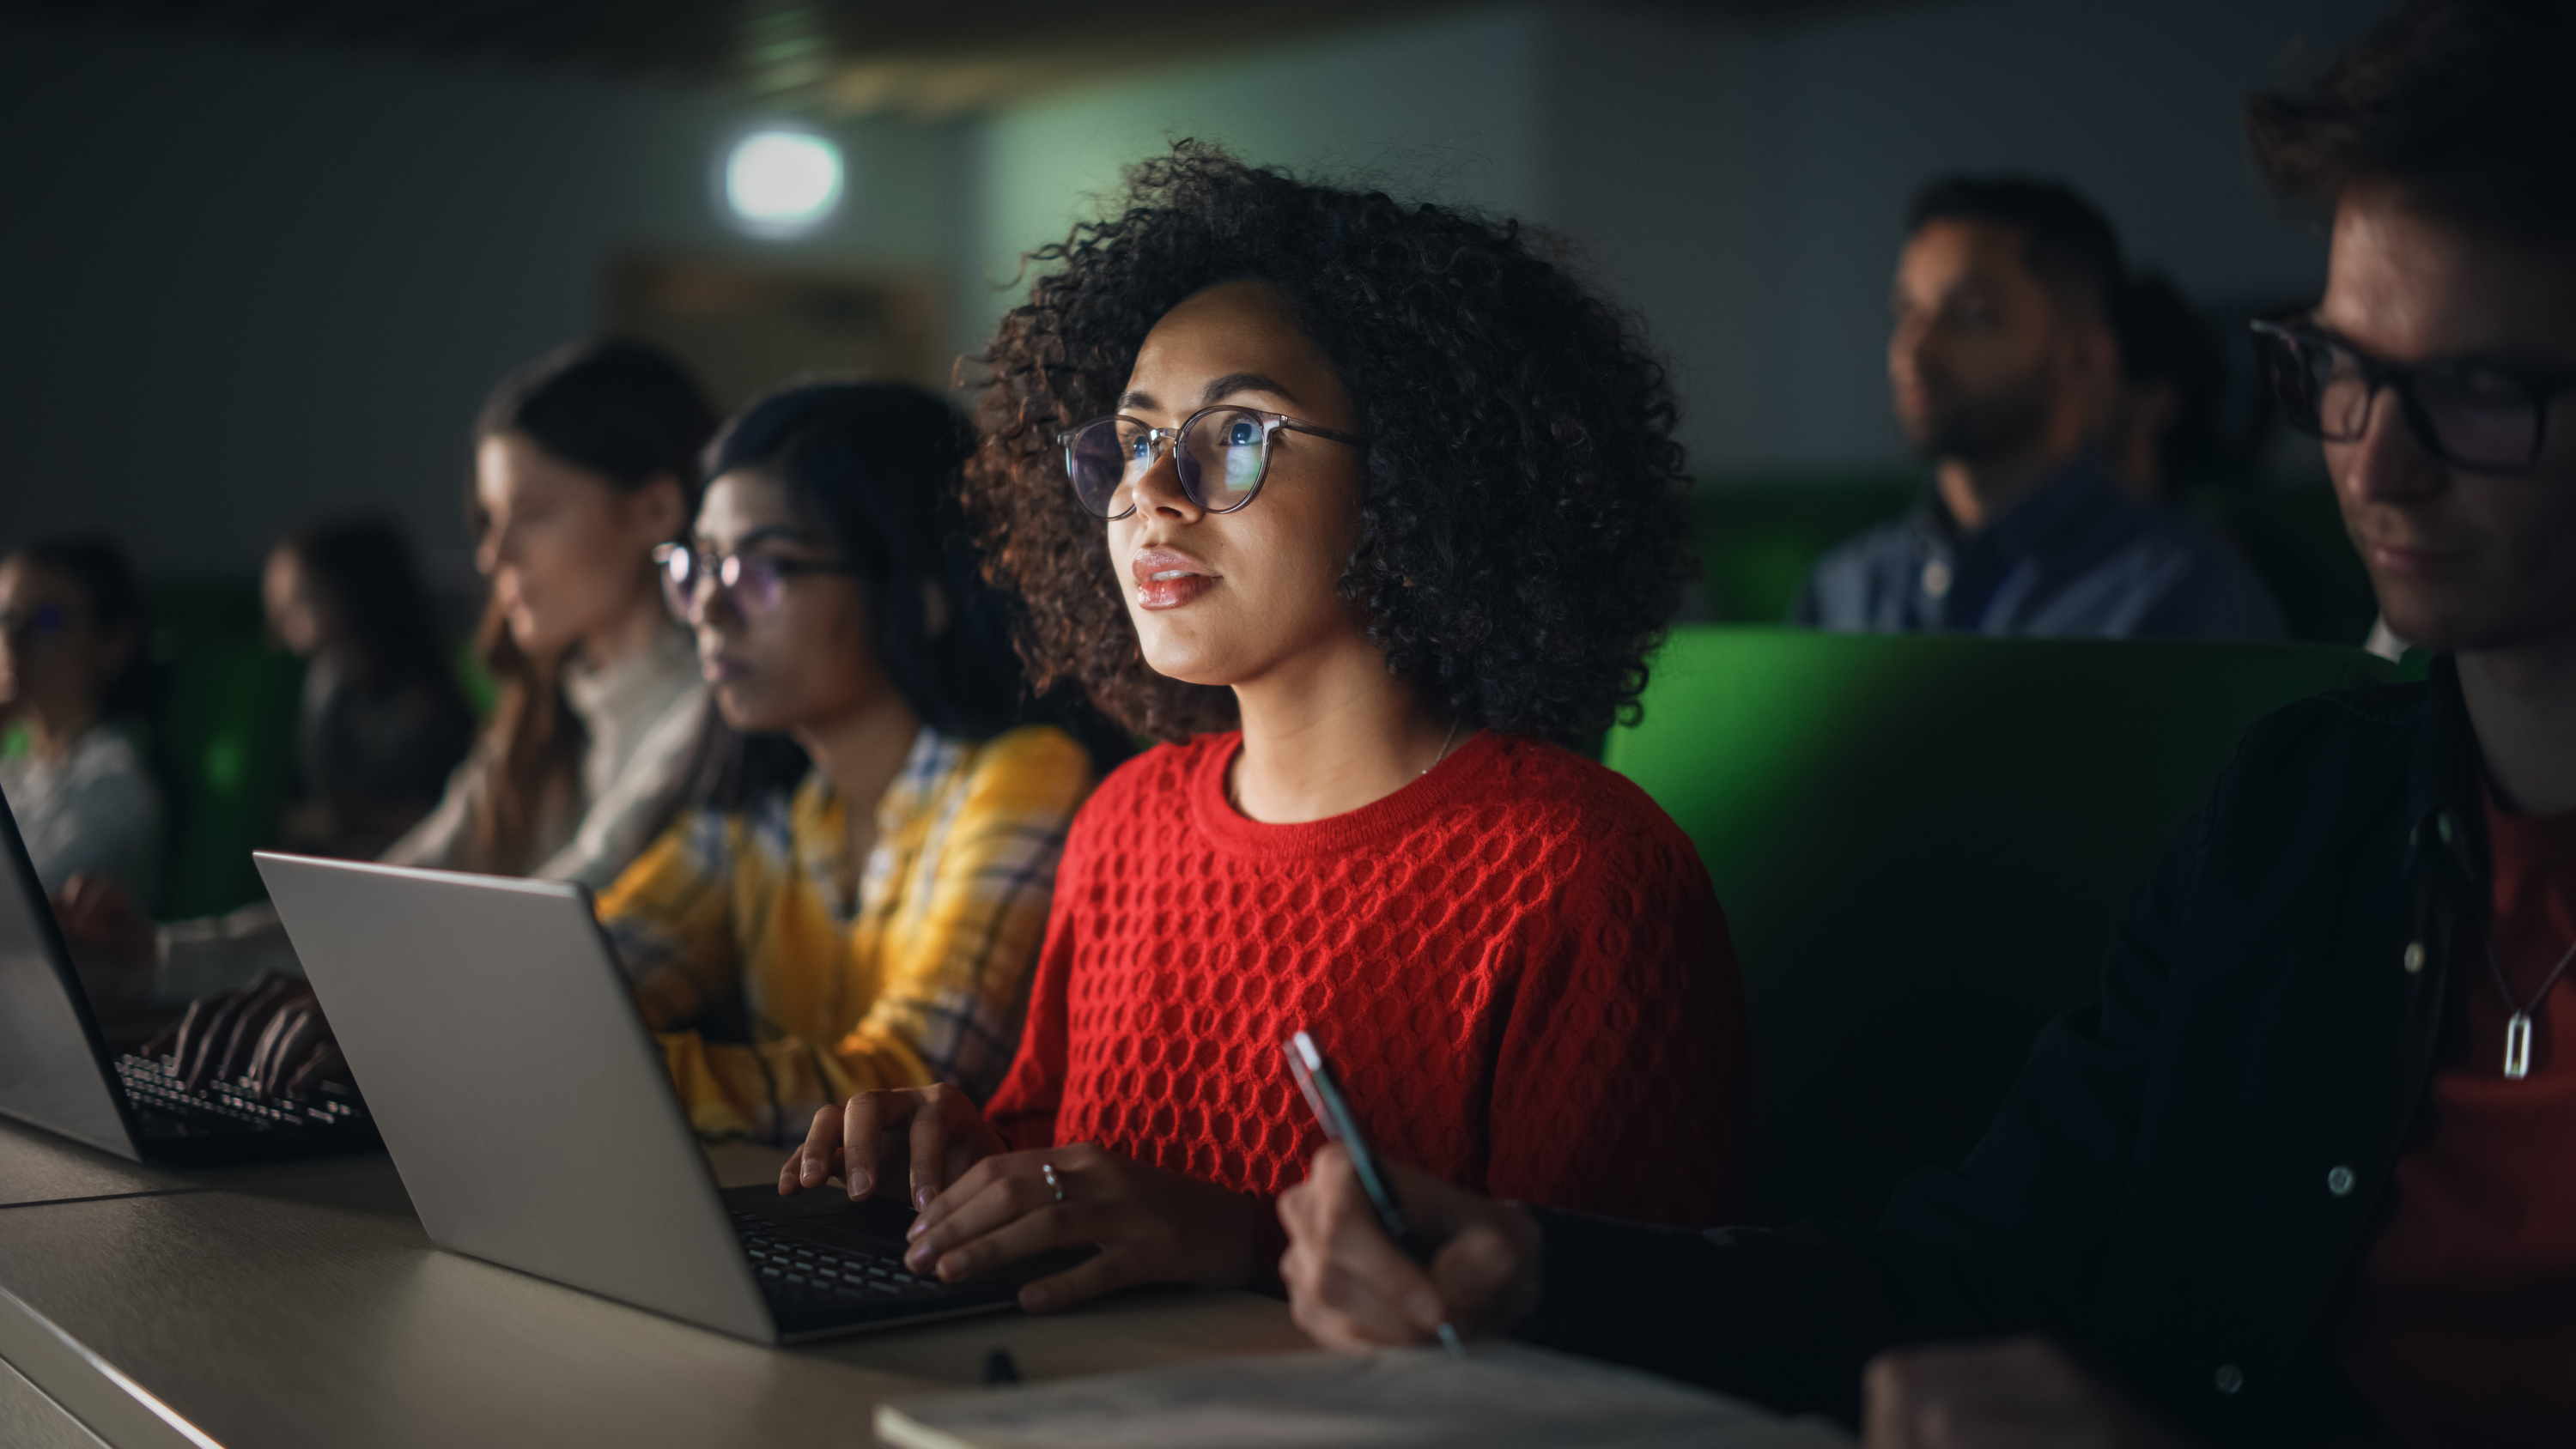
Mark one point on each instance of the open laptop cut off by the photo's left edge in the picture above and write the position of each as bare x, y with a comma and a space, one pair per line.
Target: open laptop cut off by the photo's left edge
61, 1075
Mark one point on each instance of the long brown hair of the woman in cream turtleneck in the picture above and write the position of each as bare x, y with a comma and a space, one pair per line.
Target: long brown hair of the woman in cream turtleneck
630, 416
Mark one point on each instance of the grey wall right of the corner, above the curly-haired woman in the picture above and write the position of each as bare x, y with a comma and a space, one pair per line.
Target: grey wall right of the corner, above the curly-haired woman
1740, 189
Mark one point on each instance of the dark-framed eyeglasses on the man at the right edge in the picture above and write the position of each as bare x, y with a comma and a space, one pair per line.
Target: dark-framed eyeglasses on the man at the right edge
2474, 416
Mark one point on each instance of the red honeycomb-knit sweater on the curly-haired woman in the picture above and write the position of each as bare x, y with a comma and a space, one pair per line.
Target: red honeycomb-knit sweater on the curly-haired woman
1516, 964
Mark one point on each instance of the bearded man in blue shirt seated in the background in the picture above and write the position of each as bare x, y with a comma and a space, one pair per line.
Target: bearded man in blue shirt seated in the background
2008, 377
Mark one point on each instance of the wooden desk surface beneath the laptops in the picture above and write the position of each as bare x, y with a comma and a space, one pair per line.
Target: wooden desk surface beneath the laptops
316, 1314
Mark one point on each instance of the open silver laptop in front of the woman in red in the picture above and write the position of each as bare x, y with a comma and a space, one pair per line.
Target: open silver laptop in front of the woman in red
535, 1126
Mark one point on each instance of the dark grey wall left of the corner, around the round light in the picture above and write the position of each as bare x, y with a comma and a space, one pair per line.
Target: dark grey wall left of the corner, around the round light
251, 287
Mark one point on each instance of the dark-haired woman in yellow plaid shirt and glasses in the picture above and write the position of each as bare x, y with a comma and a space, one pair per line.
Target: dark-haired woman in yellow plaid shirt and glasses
862, 894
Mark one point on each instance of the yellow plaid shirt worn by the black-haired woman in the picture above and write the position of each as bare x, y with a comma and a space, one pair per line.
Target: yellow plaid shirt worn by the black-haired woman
926, 984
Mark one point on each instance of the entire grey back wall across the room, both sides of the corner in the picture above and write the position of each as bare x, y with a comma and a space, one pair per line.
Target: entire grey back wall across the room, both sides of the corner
251, 287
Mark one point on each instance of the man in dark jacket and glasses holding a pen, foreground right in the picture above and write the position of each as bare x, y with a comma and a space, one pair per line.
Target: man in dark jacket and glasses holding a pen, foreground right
2304, 1175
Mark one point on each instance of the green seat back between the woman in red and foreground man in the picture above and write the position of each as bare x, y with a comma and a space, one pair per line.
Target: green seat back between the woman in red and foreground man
1920, 845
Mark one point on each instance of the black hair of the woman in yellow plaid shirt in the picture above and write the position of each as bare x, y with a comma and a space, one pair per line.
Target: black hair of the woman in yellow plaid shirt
877, 465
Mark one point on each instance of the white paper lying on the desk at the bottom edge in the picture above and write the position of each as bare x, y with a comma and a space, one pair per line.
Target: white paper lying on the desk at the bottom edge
1416, 1399
